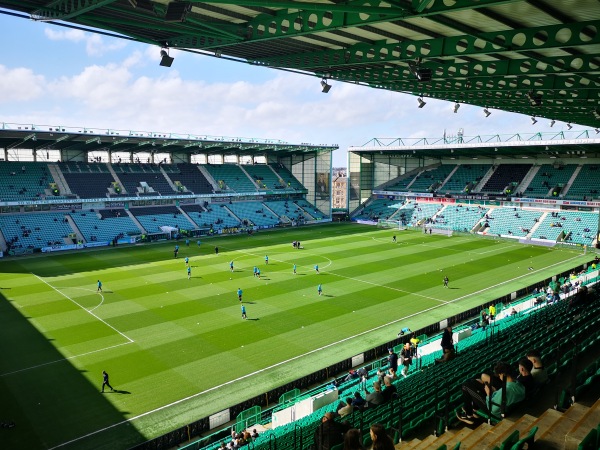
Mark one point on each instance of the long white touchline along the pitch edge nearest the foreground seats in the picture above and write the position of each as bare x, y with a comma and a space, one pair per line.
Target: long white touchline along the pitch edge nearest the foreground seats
198, 394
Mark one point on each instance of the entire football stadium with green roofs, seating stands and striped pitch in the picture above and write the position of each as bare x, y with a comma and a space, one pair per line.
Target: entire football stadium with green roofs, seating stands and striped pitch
163, 290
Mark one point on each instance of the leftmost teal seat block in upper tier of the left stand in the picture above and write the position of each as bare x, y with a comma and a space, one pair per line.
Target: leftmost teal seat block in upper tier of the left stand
24, 181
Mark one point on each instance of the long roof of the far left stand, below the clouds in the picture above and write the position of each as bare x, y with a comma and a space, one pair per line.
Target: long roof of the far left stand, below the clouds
81, 139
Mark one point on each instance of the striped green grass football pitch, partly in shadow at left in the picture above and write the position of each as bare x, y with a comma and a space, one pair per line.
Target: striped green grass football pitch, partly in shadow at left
178, 350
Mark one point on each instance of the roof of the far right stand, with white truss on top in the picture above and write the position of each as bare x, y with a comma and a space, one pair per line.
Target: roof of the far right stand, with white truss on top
564, 145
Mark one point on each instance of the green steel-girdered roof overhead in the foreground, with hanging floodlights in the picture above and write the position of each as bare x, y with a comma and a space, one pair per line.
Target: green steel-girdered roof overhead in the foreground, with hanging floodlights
535, 57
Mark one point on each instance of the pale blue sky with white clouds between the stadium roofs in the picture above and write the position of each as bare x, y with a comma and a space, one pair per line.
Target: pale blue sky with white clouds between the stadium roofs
51, 75
